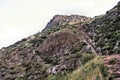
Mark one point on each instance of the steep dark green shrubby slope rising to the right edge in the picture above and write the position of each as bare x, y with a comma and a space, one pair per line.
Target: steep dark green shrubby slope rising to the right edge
104, 30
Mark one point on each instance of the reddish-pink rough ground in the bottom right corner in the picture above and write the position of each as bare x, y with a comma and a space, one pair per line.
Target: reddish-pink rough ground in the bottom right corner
113, 64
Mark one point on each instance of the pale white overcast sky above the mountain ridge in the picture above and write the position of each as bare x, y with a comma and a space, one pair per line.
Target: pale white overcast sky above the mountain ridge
21, 18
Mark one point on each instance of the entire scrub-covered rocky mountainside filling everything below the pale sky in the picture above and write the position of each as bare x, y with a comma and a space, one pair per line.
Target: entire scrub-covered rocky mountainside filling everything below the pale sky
68, 46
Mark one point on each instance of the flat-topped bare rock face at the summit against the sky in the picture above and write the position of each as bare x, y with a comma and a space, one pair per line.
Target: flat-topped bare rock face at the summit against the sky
64, 19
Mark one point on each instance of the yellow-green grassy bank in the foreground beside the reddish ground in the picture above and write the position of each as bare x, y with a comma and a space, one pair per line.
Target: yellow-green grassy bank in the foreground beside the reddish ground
92, 70
